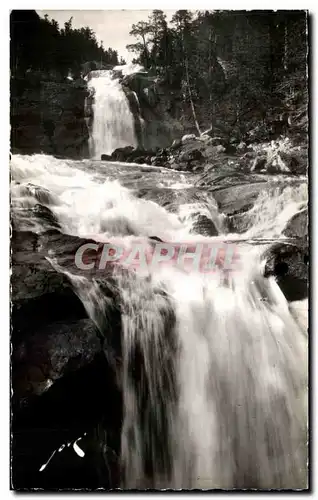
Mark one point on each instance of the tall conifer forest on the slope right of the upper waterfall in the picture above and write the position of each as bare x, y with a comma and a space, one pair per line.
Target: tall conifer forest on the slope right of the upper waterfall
255, 61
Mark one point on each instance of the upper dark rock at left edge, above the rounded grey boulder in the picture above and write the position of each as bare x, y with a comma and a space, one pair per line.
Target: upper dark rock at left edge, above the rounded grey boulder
39, 293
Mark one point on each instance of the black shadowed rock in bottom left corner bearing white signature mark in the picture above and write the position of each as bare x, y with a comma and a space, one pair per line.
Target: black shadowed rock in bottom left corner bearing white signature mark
76, 406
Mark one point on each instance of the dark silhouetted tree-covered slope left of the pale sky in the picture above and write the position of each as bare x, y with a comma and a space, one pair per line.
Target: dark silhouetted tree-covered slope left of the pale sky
41, 45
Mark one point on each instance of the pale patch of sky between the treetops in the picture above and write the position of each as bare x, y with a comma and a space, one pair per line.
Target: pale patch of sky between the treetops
111, 26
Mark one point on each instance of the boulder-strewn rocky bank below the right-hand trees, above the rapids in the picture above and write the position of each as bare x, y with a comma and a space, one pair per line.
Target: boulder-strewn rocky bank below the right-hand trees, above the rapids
199, 154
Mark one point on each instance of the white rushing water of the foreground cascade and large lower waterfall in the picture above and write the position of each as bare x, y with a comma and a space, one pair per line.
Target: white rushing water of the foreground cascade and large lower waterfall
214, 369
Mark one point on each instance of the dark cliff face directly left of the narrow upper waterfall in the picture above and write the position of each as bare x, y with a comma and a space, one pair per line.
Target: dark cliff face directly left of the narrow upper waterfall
48, 117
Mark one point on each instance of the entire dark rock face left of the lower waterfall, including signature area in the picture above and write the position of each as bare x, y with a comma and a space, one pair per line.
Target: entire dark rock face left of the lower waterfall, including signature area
62, 379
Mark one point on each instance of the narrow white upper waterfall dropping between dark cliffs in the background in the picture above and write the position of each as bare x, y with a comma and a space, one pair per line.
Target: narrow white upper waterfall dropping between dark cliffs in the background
113, 123
